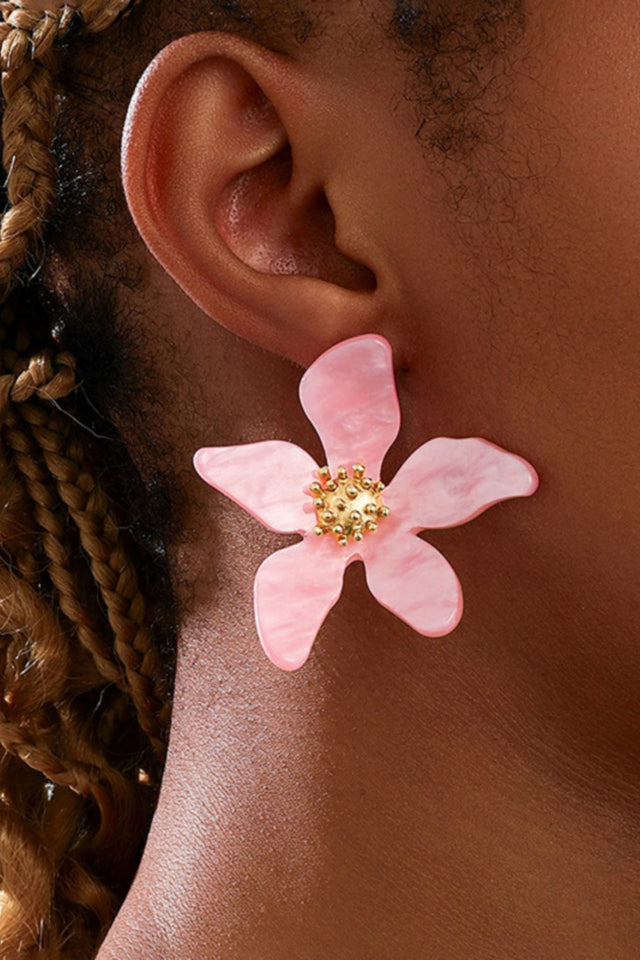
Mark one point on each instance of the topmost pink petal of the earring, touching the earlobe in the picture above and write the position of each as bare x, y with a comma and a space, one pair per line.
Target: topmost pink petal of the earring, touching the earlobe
349, 395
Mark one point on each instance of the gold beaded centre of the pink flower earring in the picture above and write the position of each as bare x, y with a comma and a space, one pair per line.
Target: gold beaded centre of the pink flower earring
348, 505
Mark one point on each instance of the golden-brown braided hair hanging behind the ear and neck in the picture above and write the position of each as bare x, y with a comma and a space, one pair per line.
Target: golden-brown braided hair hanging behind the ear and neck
84, 696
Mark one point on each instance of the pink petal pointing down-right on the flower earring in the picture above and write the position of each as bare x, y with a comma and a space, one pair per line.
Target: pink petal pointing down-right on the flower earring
413, 580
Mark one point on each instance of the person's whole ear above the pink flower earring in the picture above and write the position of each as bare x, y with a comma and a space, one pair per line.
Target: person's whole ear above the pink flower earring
226, 160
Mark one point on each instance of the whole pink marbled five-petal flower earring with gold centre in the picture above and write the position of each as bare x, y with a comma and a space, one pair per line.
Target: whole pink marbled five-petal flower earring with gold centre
343, 511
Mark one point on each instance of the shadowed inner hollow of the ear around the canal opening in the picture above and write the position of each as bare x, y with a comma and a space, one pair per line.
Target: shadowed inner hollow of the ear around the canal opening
268, 231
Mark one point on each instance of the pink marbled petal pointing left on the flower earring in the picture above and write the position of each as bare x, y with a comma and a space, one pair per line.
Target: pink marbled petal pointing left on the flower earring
269, 479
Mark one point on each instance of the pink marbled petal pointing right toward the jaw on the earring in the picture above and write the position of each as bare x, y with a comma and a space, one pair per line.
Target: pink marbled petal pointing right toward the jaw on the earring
447, 482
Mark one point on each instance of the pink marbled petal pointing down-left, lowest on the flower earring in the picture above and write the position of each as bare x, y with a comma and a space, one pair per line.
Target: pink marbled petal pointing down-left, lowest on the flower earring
293, 592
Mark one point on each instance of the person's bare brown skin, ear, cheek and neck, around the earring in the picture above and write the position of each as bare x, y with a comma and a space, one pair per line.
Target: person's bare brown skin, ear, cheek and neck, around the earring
398, 797
